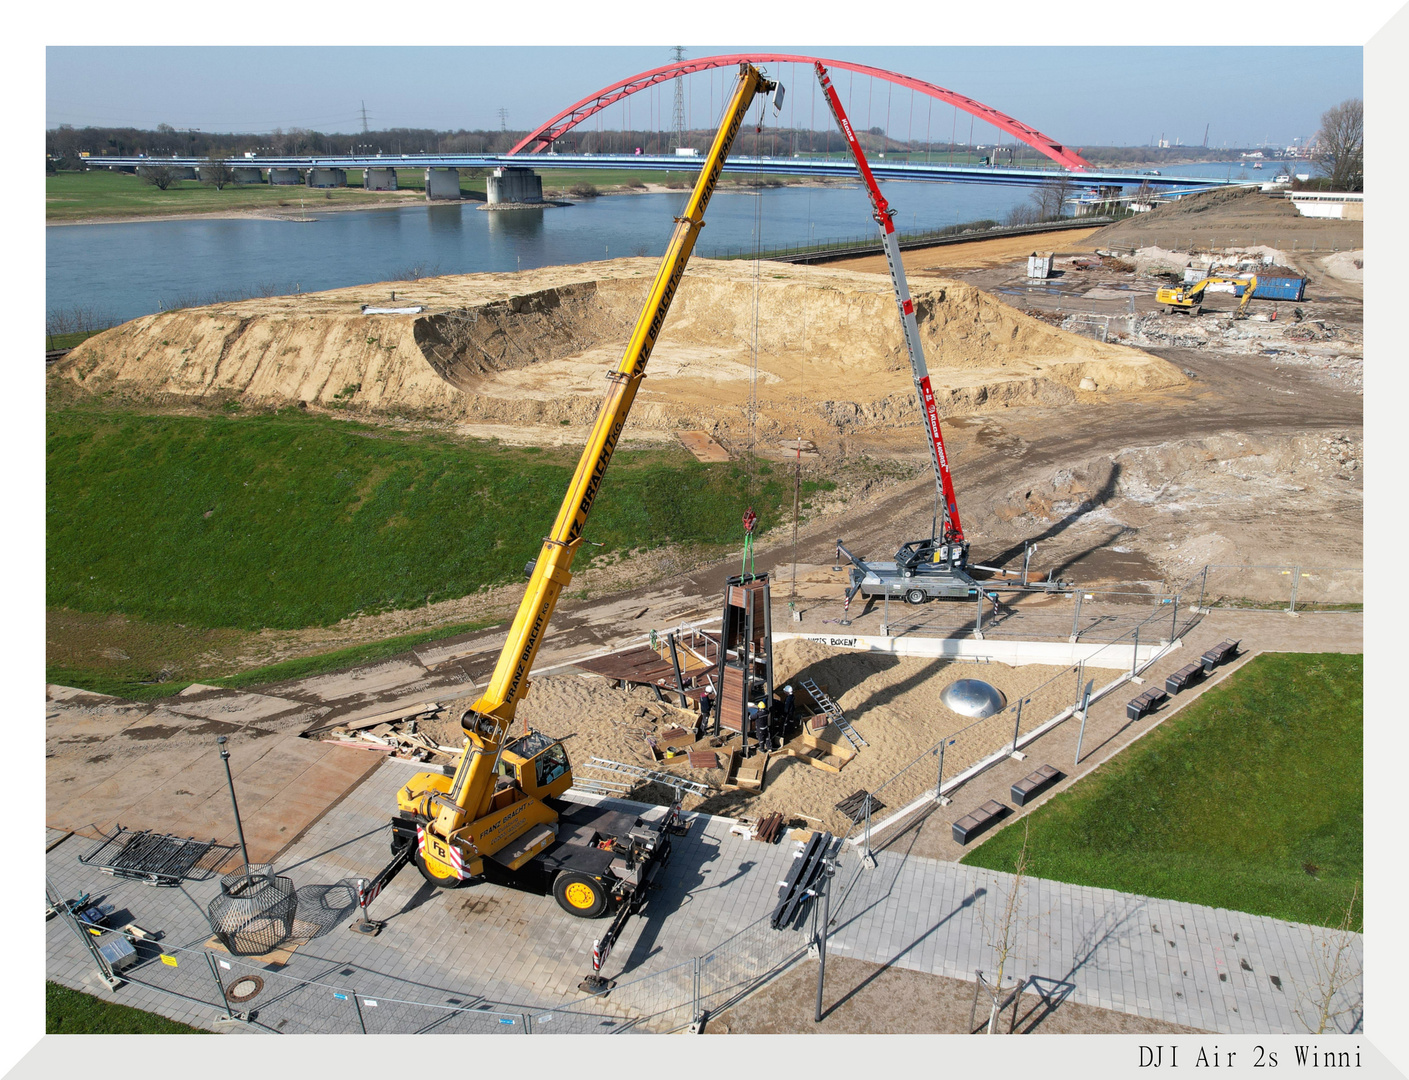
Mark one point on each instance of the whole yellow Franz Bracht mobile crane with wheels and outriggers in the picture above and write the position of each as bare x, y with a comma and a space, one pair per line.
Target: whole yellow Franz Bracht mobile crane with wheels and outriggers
501, 813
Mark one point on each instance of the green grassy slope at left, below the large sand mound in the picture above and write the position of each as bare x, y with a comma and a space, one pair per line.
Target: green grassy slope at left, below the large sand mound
171, 537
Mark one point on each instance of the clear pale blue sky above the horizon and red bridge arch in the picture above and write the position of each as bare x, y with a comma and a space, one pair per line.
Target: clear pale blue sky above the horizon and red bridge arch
1077, 95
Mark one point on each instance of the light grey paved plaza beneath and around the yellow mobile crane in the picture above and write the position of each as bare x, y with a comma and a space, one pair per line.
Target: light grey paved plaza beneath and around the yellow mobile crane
514, 953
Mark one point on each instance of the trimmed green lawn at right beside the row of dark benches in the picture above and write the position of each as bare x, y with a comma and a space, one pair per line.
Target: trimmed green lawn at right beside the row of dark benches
1250, 799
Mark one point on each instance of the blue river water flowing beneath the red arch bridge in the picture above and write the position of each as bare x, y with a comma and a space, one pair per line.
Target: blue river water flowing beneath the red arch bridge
132, 270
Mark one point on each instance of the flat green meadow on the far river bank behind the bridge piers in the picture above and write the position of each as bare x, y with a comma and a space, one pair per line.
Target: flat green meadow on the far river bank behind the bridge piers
112, 195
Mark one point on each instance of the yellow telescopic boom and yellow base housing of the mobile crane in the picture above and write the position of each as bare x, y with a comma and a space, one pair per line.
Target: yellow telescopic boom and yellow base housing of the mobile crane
459, 816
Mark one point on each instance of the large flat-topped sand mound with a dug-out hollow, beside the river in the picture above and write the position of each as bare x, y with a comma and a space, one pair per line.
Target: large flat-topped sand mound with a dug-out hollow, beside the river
533, 349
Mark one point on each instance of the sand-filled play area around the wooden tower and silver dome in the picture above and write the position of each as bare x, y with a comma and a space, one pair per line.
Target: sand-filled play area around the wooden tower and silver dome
893, 702
